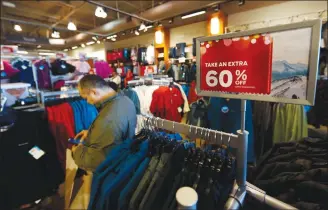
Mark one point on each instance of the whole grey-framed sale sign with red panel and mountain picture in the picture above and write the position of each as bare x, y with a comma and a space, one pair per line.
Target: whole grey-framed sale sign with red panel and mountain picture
276, 64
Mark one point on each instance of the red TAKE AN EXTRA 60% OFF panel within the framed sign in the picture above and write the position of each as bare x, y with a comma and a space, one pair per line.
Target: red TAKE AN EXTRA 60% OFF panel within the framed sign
238, 65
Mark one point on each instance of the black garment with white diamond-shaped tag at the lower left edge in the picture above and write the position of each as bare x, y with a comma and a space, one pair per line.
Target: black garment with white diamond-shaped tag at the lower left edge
23, 178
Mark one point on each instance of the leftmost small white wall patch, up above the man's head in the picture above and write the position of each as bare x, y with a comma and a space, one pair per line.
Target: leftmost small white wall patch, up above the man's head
96, 50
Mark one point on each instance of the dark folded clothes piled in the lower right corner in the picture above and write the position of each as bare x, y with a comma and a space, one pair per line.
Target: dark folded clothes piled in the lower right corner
296, 173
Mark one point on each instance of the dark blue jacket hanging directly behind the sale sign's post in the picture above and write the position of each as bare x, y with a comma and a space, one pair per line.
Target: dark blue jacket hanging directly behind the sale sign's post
224, 115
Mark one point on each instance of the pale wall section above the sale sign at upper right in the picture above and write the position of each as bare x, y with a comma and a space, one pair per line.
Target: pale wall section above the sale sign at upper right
278, 11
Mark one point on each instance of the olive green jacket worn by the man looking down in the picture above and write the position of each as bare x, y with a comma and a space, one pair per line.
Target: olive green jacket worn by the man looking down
115, 122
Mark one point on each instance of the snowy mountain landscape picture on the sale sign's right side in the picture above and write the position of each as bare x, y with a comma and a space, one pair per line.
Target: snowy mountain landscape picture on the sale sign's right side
290, 63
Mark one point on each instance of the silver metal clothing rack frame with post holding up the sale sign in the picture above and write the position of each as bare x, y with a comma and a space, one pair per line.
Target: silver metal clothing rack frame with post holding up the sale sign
239, 142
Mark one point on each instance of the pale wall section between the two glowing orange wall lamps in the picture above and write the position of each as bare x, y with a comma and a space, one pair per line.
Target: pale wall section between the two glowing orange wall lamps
187, 33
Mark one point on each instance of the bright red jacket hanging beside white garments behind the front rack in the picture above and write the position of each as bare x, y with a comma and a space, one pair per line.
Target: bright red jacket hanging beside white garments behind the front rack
166, 102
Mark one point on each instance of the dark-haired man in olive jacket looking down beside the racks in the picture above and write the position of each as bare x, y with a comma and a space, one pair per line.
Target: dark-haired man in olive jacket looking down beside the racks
115, 122
